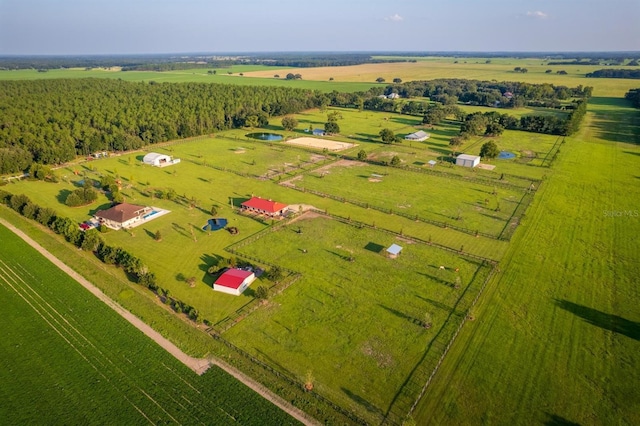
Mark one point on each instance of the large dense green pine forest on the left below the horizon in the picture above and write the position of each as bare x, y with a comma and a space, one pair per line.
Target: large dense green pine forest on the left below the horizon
50, 122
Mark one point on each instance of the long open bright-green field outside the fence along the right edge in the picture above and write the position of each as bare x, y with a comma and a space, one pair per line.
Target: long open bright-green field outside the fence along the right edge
557, 340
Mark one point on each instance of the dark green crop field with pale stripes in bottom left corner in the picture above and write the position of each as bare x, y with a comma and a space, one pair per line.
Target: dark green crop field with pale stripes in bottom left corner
66, 358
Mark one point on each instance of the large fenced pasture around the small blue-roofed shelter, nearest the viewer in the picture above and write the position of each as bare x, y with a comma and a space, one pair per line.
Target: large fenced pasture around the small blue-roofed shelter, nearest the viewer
355, 325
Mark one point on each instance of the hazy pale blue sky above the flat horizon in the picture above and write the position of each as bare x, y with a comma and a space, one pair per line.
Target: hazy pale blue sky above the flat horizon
160, 26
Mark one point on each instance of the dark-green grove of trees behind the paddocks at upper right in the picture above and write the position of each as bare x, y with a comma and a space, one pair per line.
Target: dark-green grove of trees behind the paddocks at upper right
506, 94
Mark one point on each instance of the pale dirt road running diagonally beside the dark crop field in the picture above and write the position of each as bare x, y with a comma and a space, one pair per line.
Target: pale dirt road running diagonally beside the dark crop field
198, 365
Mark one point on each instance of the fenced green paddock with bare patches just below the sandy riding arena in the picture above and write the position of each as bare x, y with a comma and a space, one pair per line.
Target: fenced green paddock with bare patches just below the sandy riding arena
470, 205
